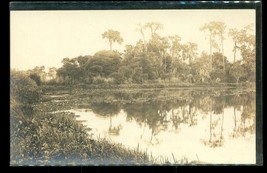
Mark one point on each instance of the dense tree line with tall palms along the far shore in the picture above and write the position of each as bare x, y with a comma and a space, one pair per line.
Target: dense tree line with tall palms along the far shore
156, 58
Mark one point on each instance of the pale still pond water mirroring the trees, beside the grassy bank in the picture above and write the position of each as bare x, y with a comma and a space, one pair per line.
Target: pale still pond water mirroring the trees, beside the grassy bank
197, 126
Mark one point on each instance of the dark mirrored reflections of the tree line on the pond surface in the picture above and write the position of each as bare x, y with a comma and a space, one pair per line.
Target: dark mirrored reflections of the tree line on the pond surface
186, 109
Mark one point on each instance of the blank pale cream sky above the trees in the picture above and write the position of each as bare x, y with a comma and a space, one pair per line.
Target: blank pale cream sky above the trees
46, 37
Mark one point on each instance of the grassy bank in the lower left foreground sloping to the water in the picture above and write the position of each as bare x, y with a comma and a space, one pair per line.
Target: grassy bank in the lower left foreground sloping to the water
58, 139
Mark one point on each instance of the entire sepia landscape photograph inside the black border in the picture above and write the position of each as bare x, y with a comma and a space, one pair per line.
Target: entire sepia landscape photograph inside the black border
132, 87
